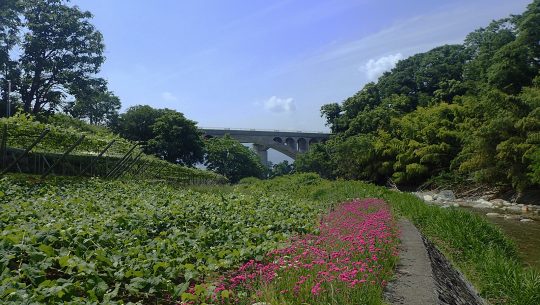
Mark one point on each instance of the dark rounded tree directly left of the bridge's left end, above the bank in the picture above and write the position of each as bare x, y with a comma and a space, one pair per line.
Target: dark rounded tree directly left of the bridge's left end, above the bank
176, 139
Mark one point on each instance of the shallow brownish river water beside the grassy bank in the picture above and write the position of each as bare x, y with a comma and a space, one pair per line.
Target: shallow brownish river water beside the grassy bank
526, 235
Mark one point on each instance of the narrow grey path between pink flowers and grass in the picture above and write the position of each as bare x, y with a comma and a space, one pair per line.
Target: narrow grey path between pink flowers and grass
414, 283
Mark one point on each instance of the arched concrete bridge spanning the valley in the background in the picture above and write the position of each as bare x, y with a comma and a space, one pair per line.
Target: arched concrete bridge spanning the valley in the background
290, 143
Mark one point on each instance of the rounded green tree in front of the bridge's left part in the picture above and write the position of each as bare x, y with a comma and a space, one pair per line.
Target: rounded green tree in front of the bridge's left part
228, 157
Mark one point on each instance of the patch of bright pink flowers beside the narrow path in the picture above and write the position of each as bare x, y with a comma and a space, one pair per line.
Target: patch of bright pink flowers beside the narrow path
356, 247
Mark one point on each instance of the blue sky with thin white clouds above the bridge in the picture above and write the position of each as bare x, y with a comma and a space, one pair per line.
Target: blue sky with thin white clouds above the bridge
269, 64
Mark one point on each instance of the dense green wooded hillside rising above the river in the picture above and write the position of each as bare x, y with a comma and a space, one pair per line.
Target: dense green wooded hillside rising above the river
470, 110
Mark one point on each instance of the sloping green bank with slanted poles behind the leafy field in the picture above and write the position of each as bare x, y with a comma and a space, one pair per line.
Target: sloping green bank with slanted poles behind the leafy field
96, 152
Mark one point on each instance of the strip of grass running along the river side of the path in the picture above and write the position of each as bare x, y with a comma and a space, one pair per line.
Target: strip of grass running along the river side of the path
479, 249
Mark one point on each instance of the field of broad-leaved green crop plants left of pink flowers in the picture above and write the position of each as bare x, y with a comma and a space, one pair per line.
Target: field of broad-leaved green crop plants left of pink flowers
93, 241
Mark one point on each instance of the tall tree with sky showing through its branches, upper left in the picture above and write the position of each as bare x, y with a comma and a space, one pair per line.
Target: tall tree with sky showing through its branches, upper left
59, 52
